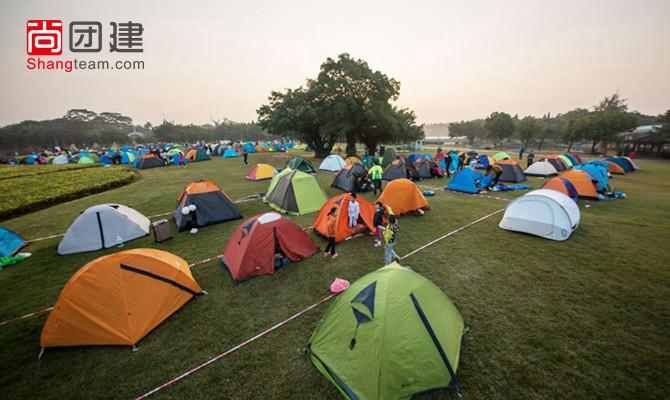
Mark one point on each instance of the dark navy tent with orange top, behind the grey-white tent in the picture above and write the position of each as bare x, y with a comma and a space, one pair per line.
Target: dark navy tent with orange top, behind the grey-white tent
212, 206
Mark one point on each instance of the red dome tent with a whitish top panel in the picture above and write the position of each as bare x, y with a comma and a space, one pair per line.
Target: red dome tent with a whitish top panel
252, 248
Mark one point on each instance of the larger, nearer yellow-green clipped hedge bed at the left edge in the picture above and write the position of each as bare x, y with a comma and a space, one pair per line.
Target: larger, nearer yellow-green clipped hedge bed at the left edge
23, 194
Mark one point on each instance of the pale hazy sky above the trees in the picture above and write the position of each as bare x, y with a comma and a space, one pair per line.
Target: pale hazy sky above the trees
456, 60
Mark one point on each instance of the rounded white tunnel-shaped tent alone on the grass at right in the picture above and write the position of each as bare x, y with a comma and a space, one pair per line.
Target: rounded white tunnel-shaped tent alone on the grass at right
546, 213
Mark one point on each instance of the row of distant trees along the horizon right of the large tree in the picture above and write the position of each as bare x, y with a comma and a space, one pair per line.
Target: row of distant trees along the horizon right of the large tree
609, 118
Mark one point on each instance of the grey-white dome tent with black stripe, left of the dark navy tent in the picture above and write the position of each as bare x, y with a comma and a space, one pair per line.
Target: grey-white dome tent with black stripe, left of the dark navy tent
98, 228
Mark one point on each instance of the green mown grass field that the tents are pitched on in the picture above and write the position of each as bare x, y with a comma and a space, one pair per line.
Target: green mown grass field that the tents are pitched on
586, 318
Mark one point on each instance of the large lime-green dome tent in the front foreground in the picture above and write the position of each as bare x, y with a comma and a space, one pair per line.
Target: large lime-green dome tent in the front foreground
391, 334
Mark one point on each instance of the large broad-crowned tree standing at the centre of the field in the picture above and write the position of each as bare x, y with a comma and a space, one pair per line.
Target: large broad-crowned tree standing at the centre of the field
347, 100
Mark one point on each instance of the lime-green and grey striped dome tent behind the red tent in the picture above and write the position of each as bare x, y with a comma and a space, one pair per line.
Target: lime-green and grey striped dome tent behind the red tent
295, 192
